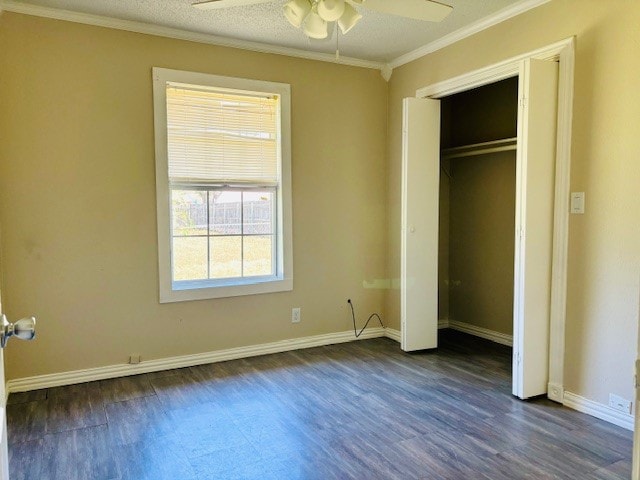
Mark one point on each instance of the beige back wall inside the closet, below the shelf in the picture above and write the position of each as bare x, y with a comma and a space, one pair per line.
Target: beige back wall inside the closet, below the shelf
481, 240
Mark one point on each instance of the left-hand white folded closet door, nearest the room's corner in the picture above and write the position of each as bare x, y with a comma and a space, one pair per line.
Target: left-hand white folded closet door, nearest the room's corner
420, 210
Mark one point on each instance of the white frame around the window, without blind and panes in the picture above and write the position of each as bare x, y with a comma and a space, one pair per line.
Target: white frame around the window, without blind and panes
201, 290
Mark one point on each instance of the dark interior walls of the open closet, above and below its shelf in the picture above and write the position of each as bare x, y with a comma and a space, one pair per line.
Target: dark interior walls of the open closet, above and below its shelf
477, 209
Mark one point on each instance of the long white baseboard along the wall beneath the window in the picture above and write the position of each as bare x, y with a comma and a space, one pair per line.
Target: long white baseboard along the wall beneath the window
123, 370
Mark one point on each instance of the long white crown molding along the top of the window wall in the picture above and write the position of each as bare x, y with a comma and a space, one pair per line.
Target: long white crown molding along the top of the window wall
179, 34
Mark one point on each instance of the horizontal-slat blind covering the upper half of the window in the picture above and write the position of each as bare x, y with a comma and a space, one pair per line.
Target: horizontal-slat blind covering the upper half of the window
218, 137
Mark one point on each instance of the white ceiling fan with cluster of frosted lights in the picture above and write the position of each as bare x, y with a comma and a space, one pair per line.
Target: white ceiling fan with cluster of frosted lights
315, 16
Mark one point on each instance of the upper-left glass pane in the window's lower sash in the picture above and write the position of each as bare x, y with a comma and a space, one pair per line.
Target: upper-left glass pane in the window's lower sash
189, 212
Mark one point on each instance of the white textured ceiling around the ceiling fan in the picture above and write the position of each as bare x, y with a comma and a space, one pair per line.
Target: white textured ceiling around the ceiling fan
377, 37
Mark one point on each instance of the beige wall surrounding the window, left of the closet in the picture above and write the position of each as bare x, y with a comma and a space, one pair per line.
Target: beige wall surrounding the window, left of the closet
77, 197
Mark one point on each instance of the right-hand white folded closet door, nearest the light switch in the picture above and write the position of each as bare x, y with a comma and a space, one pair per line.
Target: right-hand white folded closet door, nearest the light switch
534, 225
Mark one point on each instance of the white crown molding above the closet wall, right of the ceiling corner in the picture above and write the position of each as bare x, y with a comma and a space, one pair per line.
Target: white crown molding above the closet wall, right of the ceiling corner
471, 29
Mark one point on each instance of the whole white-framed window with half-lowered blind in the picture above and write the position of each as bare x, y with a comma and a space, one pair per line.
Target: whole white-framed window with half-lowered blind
223, 185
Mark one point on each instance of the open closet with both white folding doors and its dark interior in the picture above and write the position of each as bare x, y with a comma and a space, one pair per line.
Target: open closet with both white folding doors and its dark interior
477, 213
